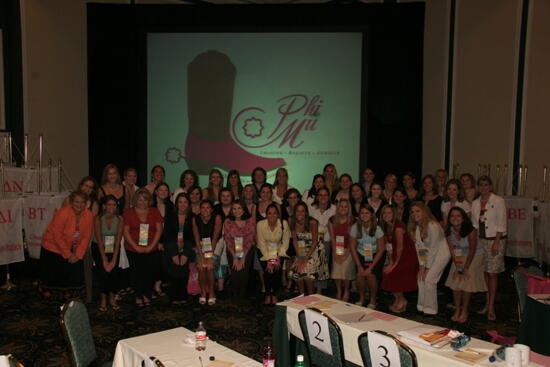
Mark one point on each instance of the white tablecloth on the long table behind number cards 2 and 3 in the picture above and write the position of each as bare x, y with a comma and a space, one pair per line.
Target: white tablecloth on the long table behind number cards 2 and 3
350, 333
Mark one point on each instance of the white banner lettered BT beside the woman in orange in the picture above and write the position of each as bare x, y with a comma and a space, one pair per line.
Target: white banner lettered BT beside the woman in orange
38, 212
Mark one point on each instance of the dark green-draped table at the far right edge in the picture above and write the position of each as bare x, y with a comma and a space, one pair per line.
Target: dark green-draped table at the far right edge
534, 329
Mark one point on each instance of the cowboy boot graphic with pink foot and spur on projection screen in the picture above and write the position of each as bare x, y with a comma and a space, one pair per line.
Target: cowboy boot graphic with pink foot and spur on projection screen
210, 87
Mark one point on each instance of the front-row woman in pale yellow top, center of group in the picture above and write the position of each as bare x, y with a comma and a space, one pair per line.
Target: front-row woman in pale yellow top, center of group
273, 236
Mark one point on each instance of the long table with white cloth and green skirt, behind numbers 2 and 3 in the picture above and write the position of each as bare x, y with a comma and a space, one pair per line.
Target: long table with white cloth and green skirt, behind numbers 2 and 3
288, 338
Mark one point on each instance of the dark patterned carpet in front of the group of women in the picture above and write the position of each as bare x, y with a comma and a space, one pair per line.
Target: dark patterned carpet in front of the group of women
30, 326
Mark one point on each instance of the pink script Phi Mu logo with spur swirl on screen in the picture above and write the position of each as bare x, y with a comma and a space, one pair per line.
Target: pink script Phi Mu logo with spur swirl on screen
297, 113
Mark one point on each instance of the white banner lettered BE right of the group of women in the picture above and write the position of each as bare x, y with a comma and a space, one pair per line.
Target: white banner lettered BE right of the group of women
521, 238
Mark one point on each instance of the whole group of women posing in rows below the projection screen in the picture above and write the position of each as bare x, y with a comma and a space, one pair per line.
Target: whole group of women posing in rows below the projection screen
366, 235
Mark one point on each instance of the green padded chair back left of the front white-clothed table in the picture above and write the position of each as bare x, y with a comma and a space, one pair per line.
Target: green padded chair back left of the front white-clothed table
78, 333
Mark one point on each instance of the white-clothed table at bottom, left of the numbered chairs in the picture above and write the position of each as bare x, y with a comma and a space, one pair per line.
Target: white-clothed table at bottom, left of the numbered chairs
173, 350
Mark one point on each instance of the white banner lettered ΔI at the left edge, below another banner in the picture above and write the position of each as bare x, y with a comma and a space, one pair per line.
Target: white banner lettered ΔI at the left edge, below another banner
11, 231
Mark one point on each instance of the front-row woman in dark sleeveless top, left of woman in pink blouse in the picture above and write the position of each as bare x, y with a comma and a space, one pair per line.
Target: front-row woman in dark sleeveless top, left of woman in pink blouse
206, 230
